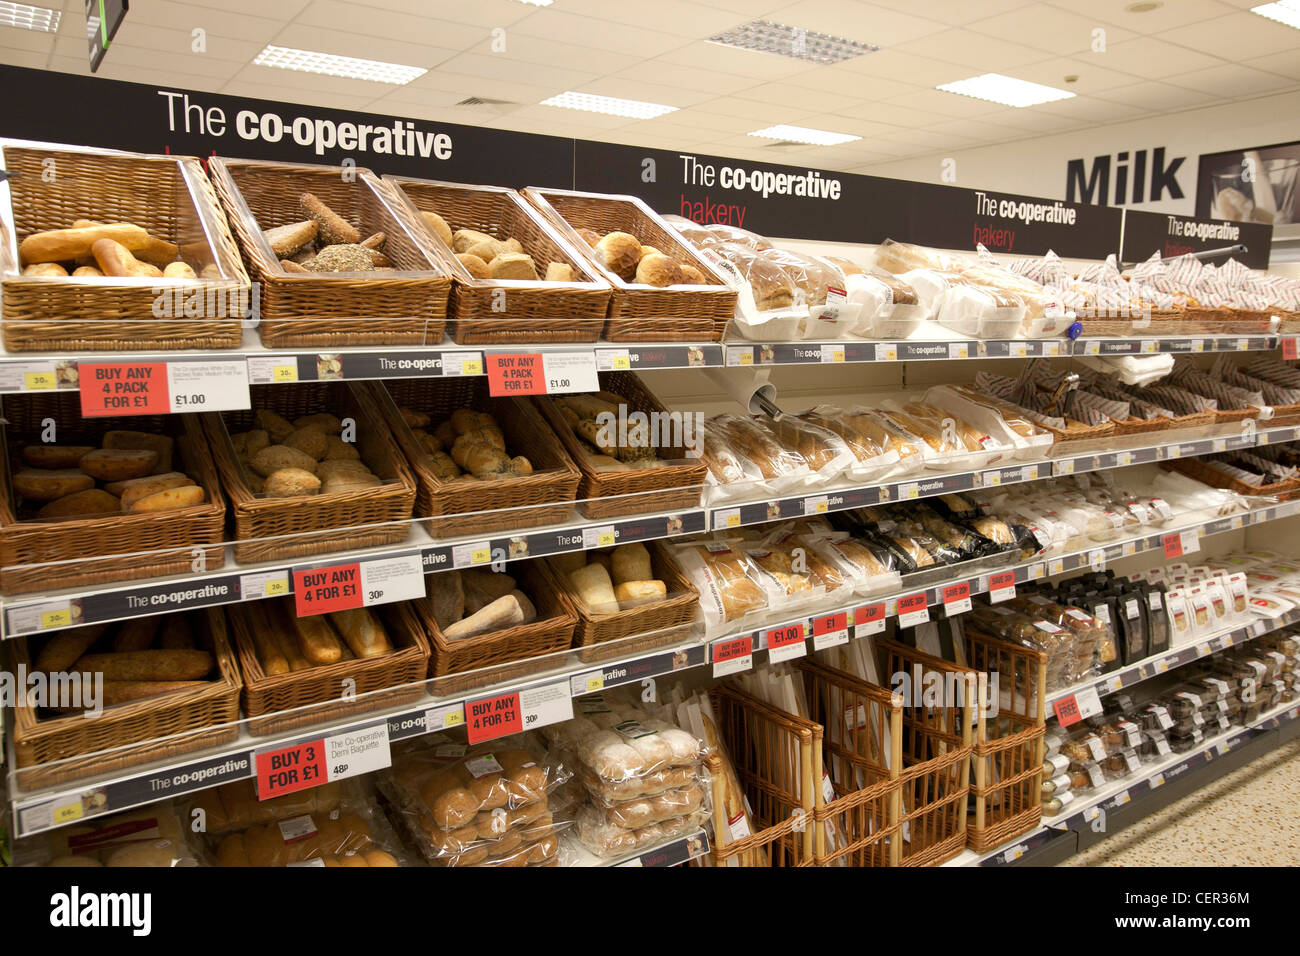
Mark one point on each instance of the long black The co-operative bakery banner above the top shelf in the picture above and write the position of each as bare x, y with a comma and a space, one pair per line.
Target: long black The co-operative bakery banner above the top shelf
794, 202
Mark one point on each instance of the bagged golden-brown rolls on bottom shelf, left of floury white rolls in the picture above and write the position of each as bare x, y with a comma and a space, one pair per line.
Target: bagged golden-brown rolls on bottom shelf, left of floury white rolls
488, 806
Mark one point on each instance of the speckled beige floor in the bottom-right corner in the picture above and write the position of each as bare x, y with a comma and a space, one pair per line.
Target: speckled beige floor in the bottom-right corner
1249, 819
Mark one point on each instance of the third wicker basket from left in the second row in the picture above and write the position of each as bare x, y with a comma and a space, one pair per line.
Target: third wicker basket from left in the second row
469, 507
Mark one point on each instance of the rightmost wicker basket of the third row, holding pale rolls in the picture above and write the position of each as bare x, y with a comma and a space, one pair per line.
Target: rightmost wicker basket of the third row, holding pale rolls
662, 622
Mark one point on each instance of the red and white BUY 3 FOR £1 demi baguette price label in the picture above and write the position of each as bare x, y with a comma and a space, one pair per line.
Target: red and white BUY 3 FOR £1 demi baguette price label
302, 767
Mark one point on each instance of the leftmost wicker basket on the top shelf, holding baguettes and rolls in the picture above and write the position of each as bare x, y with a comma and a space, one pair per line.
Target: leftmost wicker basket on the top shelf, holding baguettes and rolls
171, 198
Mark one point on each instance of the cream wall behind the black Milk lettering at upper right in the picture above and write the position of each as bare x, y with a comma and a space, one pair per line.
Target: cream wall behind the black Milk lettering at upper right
1038, 167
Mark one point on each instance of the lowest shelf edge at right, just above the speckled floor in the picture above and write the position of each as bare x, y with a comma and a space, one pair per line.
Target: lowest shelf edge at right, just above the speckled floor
1121, 794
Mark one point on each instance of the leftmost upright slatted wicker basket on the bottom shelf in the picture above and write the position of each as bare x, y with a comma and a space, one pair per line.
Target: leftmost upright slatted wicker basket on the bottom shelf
778, 762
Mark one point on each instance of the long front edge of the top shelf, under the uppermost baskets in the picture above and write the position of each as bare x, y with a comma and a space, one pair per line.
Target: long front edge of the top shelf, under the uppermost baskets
37, 371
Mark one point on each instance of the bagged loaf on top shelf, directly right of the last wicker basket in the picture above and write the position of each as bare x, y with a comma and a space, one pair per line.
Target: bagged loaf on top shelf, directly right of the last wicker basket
769, 306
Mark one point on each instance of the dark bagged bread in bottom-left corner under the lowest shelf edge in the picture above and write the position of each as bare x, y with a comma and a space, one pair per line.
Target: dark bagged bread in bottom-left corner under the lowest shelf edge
153, 836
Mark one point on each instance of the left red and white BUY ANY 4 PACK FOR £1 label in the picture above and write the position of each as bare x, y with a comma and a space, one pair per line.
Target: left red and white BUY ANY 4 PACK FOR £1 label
162, 388
